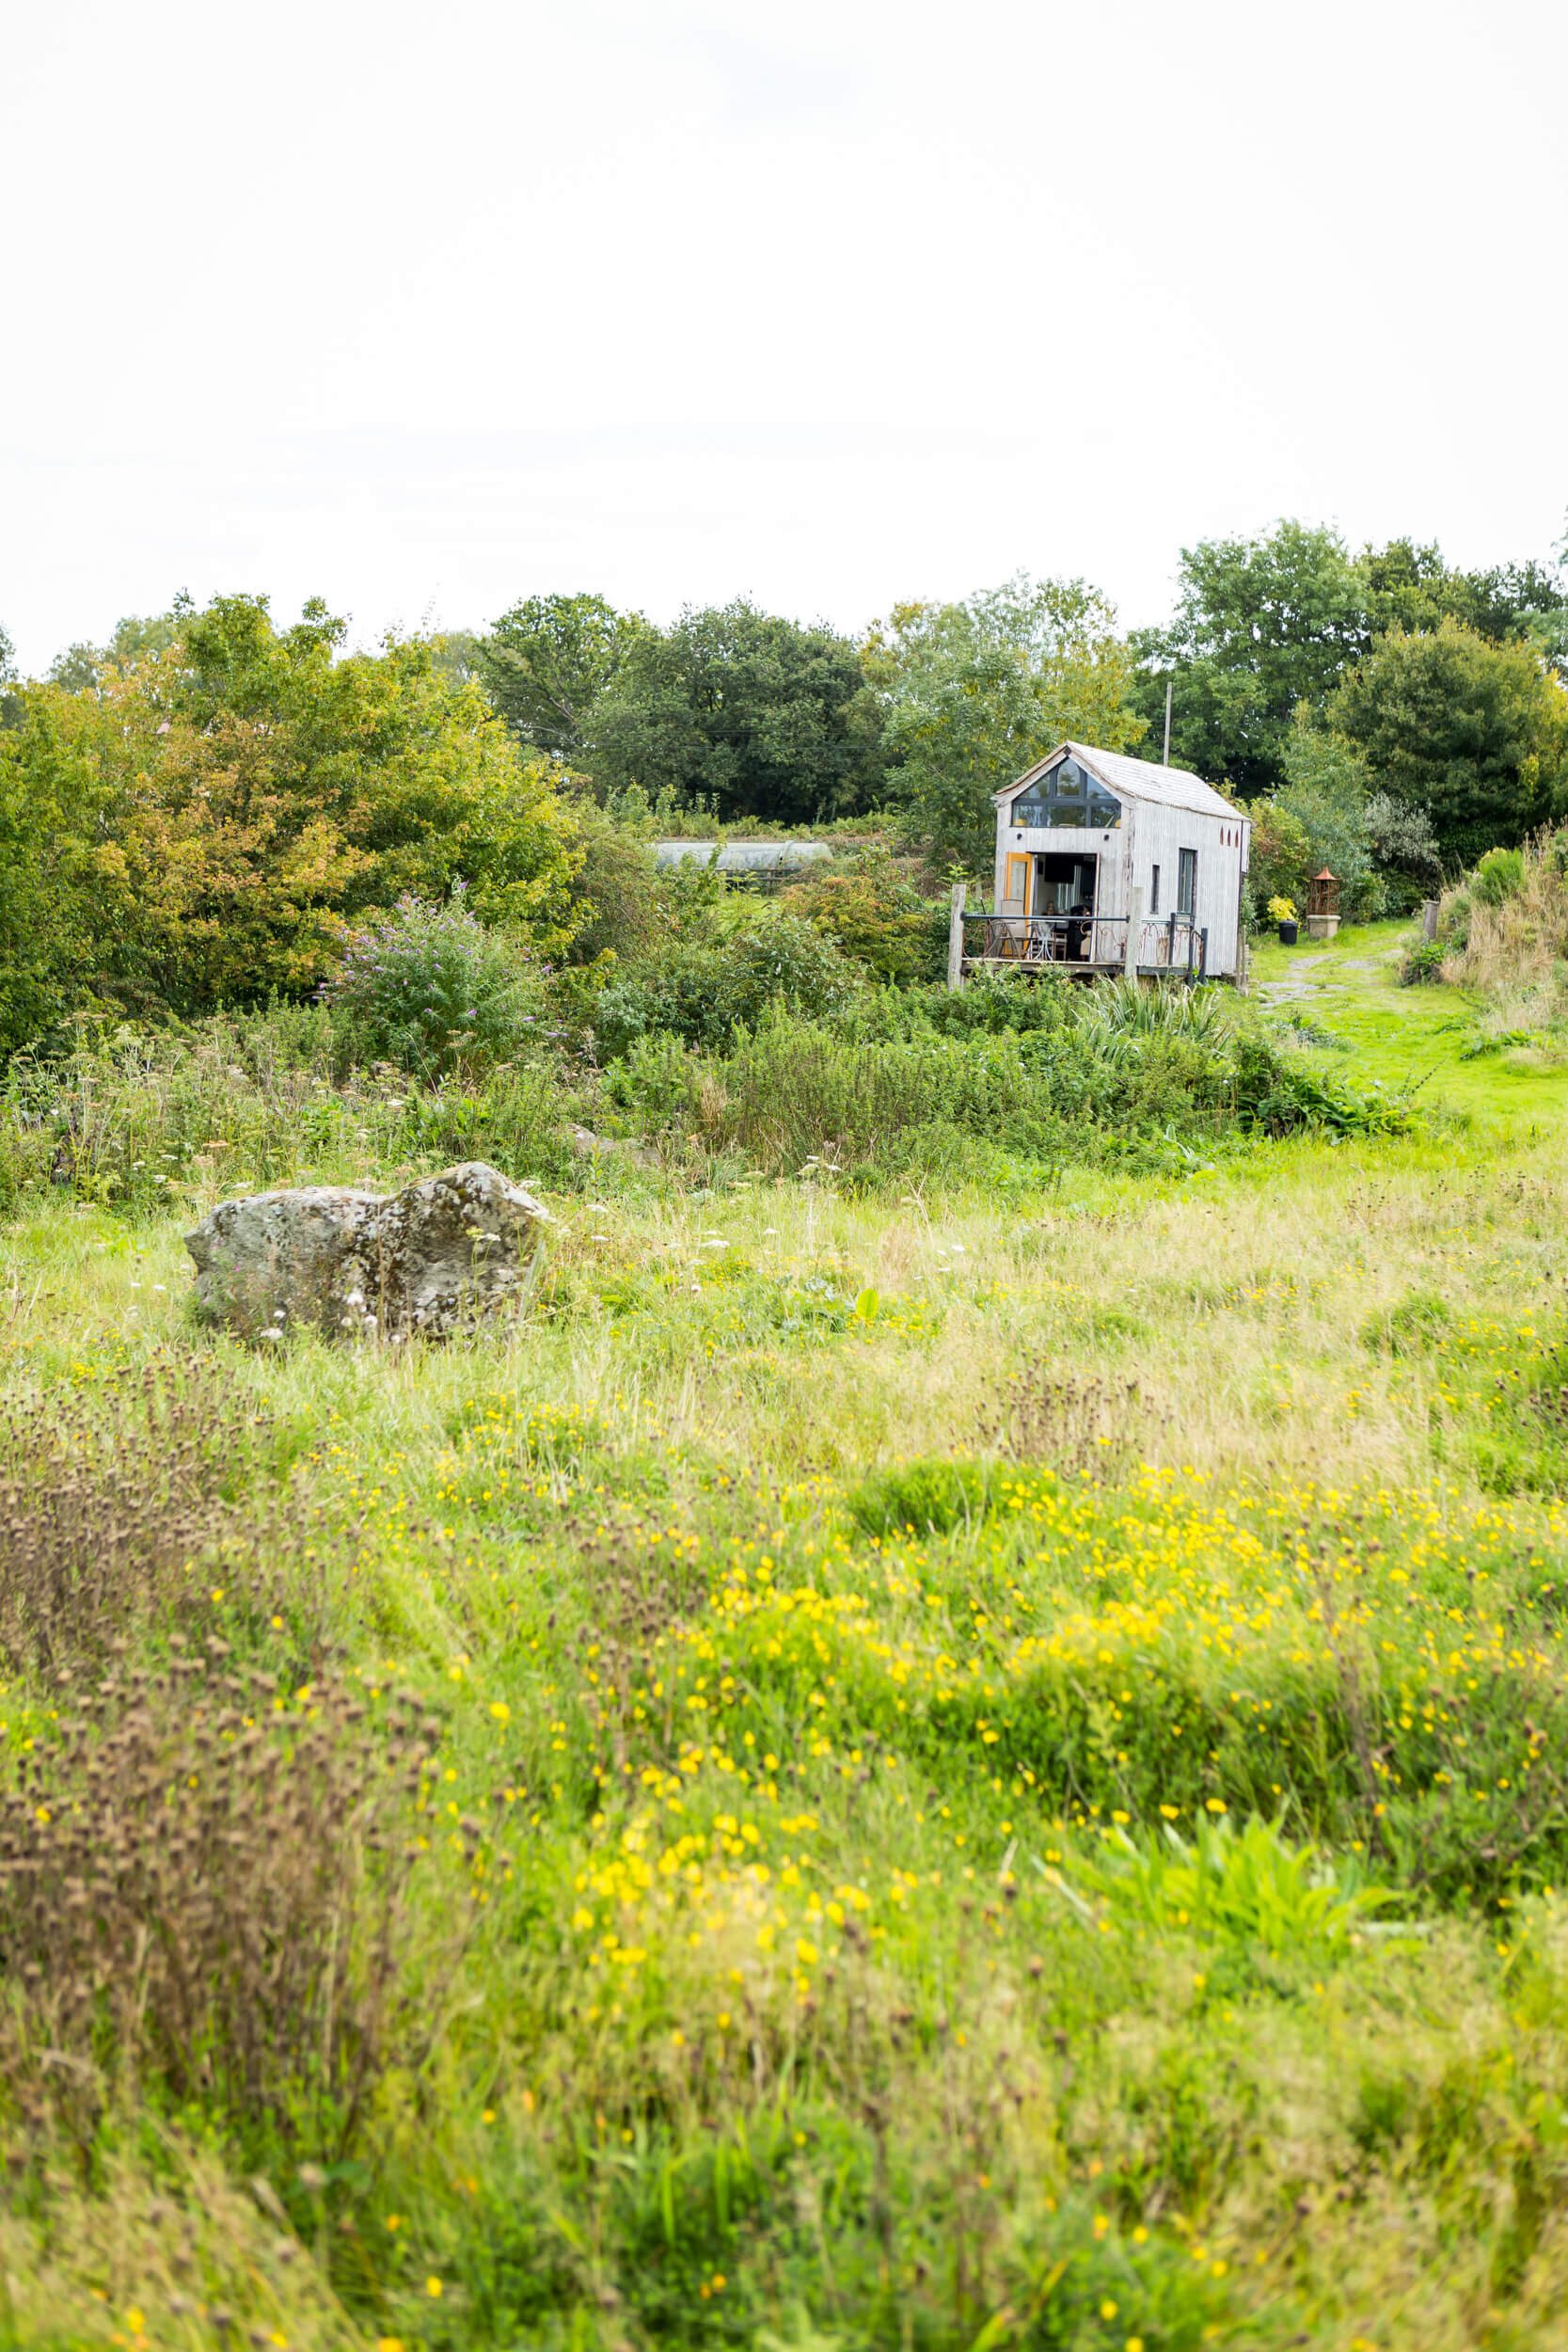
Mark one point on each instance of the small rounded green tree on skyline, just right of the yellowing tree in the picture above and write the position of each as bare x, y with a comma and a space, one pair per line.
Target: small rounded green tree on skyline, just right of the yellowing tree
549, 662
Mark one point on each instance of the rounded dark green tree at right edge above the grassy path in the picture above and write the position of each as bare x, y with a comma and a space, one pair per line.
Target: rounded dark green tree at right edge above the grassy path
1475, 733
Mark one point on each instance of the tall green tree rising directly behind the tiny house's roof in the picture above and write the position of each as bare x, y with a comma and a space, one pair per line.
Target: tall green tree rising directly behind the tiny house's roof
1261, 627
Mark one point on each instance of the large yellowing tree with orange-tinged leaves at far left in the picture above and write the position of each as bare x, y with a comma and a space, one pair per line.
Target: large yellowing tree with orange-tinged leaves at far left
217, 817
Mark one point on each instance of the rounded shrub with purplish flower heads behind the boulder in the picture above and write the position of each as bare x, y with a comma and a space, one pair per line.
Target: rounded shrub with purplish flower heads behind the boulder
436, 991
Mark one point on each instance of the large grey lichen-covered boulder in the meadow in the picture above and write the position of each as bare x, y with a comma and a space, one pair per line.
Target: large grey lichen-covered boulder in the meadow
438, 1257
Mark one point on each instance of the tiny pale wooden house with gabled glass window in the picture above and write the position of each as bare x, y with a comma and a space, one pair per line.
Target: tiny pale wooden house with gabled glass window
1115, 864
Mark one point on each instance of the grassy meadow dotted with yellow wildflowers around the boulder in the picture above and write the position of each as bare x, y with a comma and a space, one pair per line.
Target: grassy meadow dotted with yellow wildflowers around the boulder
930, 1772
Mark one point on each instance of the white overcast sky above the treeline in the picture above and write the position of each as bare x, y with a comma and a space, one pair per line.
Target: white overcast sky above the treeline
429, 309
